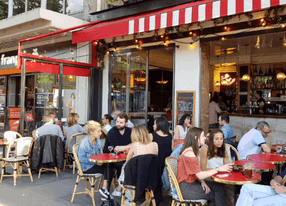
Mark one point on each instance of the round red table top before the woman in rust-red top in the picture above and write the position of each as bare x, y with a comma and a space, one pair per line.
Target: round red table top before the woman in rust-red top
235, 178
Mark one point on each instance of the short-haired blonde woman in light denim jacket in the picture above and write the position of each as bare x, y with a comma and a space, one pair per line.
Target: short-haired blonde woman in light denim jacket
89, 146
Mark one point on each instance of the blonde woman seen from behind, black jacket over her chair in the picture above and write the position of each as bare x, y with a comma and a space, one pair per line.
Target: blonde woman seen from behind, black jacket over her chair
141, 144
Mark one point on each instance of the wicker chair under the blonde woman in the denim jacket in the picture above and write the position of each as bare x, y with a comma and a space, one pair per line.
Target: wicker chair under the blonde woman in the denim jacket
92, 178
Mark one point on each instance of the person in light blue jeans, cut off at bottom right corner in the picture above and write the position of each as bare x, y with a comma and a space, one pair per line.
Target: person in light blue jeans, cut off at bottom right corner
255, 194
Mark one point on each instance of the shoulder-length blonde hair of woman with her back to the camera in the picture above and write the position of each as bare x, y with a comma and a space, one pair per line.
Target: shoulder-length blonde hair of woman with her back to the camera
140, 134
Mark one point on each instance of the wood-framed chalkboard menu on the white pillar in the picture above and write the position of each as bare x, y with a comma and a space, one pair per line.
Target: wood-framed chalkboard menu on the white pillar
186, 105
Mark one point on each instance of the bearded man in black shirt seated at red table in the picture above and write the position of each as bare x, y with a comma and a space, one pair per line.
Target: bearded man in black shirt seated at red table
119, 137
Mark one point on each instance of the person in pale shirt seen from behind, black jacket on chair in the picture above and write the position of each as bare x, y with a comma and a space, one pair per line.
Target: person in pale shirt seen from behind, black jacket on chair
49, 128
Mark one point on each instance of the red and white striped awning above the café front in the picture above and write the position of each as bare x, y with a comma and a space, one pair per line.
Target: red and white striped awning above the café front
179, 15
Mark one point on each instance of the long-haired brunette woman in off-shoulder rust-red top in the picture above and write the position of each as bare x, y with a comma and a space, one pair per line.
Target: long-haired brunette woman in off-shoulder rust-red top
190, 175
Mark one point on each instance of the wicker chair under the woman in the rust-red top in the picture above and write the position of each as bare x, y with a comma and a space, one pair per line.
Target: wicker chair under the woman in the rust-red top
172, 168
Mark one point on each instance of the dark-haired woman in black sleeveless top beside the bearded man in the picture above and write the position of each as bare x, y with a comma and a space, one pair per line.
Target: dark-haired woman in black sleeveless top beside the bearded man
163, 137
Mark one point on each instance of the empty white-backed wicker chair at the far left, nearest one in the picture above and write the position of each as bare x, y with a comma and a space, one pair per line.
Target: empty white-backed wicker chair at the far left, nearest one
22, 151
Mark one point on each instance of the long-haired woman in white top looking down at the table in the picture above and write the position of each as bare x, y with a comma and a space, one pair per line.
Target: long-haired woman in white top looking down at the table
212, 155
